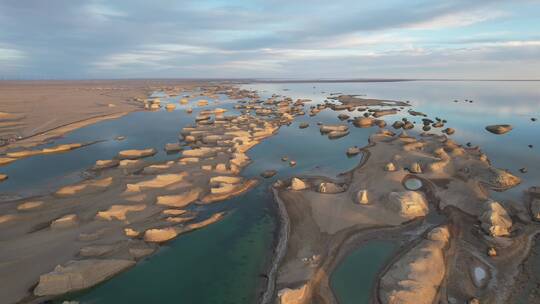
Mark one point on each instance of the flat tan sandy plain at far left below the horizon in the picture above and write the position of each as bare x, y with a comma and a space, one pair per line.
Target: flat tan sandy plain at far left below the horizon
33, 111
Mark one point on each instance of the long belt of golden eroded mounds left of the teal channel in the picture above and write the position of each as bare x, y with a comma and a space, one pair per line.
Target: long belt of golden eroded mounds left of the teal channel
101, 226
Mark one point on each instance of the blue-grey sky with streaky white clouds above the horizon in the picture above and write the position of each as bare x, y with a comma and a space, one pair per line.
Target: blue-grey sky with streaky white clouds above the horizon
293, 39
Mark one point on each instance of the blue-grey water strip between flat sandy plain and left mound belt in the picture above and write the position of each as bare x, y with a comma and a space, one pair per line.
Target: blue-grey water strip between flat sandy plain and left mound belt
43, 173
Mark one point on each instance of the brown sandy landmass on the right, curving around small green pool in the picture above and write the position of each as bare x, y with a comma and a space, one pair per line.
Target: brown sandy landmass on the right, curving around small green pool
454, 182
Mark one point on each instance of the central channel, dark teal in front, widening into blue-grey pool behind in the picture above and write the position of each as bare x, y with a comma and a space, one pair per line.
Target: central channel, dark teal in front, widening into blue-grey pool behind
224, 262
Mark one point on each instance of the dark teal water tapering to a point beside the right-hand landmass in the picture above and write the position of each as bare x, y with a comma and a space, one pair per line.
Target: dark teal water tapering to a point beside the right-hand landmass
219, 264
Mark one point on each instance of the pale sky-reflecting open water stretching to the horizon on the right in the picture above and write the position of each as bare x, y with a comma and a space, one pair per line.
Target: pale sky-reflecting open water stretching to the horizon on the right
499, 102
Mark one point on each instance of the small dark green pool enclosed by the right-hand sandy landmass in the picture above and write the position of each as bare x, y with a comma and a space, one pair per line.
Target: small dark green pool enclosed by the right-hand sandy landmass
352, 281
